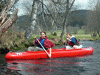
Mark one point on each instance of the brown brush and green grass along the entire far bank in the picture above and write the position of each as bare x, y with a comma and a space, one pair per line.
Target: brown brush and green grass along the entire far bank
16, 41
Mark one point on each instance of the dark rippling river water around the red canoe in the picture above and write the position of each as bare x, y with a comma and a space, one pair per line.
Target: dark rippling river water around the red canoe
86, 65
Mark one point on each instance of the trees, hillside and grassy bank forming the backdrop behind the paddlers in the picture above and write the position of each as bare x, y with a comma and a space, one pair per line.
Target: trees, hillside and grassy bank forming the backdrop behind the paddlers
57, 18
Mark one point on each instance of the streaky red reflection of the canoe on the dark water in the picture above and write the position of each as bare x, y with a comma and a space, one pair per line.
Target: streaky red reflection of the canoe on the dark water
46, 66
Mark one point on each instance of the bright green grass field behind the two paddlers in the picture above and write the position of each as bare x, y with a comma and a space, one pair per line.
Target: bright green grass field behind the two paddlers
79, 35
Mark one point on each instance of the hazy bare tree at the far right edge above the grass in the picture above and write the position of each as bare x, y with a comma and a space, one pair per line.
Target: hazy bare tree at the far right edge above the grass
94, 20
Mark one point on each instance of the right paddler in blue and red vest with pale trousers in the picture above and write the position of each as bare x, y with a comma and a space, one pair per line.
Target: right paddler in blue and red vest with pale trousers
72, 42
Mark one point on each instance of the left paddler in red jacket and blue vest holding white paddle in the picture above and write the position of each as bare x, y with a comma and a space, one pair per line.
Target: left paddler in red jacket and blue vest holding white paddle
45, 42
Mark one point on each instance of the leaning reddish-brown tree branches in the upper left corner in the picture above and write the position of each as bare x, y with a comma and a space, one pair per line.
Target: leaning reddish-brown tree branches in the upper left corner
6, 20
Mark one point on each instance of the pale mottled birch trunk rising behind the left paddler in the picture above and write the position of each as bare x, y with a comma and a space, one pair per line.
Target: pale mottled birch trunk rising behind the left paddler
33, 20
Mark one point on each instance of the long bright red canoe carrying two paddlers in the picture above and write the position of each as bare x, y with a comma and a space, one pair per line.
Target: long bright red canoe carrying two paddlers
55, 53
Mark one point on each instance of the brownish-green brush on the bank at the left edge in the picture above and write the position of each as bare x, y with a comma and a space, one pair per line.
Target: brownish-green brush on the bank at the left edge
12, 39
